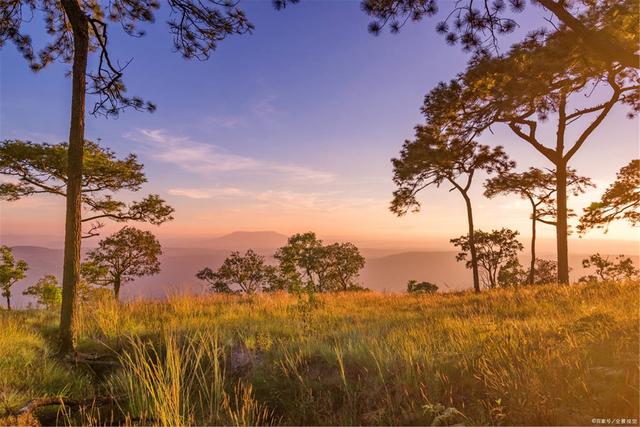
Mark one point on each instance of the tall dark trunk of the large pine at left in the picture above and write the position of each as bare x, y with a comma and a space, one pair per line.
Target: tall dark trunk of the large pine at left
73, 225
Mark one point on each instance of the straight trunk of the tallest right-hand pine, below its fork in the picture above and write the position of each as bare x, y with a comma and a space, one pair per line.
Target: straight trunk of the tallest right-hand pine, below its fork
562, 230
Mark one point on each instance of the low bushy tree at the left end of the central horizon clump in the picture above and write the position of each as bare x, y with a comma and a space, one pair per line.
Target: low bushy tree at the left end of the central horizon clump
248, 273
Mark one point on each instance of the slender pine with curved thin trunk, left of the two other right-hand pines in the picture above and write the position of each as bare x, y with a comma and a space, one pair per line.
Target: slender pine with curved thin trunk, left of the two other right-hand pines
432, 160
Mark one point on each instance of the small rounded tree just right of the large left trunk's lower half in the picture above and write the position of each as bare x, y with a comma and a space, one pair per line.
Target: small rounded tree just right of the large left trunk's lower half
123, 256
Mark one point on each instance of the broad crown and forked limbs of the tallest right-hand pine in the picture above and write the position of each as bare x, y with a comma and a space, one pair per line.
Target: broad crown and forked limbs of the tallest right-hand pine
535, 78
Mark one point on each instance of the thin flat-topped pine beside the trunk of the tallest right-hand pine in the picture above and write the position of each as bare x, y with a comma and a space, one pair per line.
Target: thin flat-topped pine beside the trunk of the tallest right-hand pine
538, 187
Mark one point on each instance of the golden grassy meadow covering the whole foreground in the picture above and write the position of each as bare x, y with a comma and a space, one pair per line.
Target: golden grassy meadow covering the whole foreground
543, 355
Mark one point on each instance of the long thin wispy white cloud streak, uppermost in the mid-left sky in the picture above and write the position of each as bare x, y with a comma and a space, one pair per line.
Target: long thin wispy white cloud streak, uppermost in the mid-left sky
204, 158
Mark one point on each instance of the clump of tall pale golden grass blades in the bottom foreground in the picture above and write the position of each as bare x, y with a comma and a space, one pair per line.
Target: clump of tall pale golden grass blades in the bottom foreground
182, 382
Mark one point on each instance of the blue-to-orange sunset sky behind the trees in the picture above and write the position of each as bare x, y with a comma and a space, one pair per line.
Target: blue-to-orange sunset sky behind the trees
289, 129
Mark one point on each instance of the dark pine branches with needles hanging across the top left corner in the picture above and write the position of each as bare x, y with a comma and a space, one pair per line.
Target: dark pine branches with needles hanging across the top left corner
197, 28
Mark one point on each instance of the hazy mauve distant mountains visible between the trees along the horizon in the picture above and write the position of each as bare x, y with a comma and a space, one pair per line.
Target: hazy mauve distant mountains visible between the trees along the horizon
179, 265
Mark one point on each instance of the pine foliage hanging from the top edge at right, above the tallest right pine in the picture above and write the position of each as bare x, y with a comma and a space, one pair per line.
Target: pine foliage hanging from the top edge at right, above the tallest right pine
477, 26
